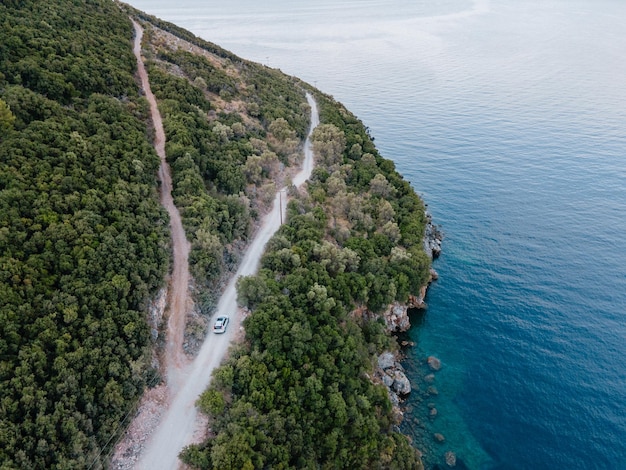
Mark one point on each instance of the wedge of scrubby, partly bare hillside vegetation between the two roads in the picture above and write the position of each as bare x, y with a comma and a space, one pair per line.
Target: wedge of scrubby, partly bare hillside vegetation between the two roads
230, 127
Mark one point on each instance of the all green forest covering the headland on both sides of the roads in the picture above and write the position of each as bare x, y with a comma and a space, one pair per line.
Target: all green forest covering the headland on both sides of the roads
84, 247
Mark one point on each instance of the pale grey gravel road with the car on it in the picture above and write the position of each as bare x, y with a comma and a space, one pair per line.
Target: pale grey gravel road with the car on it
178, 423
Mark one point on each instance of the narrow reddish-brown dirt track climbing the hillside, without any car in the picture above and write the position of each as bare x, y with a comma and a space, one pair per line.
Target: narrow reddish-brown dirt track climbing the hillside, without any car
179, 300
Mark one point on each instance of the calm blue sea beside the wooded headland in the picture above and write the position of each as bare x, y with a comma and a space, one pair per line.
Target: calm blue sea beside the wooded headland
509, 118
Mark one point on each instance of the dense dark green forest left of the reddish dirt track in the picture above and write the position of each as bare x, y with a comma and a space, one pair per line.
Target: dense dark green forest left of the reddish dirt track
82, 235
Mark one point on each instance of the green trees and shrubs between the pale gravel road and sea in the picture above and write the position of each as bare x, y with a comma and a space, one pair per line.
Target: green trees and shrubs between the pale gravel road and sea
298, 393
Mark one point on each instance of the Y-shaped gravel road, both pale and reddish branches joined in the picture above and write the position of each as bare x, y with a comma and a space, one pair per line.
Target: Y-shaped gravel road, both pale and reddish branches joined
187, 382
